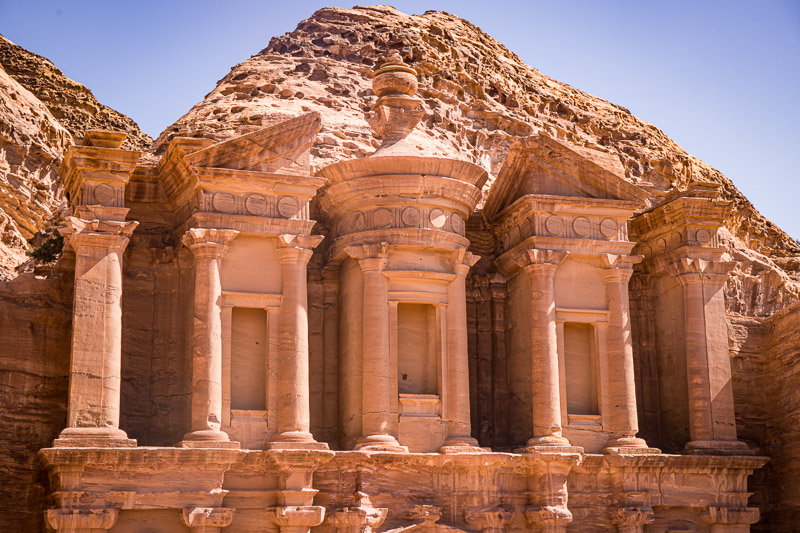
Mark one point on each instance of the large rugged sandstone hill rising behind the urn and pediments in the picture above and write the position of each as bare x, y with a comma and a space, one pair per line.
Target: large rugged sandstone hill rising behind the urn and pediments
479, 97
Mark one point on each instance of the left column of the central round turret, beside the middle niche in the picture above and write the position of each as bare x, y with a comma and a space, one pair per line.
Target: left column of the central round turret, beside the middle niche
378, 370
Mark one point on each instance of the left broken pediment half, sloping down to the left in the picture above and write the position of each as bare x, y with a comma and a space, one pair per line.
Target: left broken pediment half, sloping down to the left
281, 148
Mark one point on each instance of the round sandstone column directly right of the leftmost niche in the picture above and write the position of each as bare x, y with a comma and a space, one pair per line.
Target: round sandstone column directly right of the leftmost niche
294, 419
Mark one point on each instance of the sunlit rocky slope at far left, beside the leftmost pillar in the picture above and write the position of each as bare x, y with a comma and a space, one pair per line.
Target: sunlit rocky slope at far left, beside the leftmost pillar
41, 113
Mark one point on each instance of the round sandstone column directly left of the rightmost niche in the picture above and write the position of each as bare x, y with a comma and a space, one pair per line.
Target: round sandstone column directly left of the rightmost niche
540, 266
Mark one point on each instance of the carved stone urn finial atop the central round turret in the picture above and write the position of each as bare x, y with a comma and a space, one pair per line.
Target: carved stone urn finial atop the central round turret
396, 111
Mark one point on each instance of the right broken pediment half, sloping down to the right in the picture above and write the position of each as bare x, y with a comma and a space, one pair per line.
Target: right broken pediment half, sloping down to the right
540, 165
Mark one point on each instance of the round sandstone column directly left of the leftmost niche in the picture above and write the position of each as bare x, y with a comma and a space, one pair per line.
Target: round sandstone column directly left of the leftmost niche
208, 247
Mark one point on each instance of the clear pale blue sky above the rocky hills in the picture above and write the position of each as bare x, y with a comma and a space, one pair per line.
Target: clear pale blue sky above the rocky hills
721, 77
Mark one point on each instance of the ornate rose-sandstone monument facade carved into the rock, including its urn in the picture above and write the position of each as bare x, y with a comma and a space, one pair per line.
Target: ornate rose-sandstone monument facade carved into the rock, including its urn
327, 357
